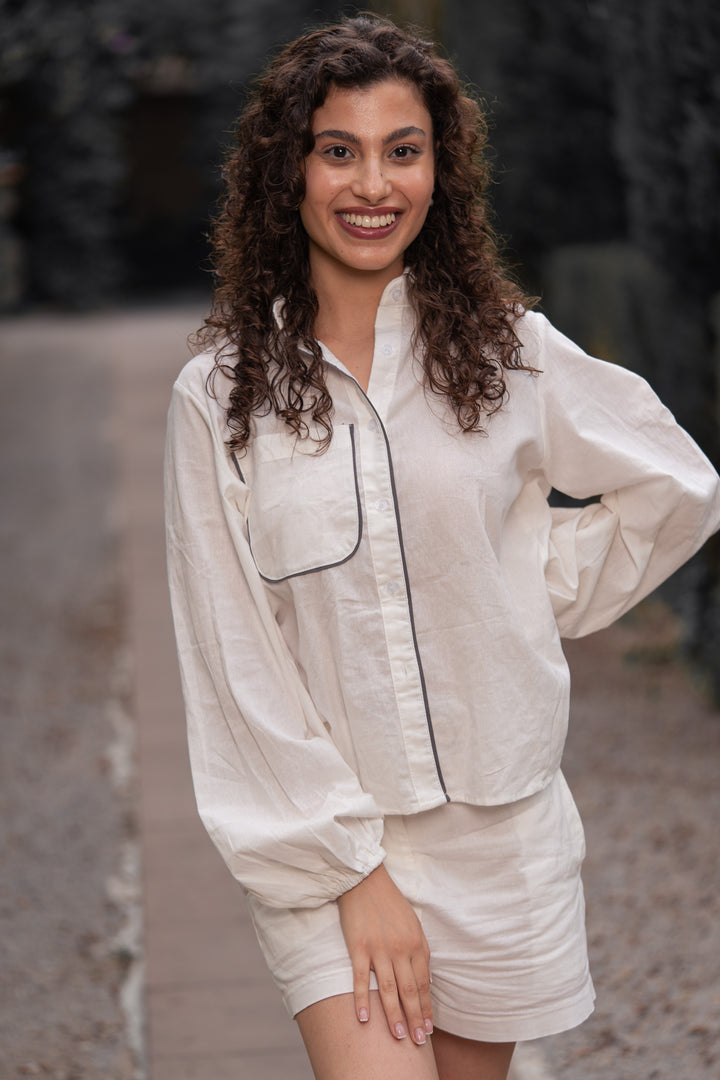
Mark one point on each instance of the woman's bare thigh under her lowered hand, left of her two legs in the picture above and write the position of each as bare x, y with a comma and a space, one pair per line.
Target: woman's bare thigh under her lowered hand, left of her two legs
342, 1049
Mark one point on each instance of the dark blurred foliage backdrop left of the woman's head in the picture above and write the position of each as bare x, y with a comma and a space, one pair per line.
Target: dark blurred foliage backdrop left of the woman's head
76, 82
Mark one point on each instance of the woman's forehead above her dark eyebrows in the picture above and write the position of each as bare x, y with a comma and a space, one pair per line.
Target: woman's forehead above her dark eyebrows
383, 106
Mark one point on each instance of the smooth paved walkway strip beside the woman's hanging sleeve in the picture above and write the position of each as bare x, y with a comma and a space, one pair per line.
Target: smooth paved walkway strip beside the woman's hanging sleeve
212, 1010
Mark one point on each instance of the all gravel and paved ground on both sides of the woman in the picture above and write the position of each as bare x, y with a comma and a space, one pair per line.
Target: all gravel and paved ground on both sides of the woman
161, 962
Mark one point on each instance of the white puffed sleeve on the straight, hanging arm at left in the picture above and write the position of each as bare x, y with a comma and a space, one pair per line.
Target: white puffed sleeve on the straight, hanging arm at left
284, 809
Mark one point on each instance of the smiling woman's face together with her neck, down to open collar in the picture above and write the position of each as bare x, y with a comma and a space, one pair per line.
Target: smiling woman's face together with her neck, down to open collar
369, 188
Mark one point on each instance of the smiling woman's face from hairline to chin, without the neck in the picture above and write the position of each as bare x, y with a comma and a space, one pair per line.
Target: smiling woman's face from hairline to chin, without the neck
370, 179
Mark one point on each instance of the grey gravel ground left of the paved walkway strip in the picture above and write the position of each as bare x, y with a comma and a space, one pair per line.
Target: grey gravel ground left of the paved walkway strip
67, 852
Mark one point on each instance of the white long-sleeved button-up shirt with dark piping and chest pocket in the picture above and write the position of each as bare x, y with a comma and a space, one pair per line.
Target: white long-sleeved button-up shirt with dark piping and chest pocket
376, 629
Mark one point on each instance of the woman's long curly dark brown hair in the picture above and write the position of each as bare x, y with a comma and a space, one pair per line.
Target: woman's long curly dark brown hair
465, 303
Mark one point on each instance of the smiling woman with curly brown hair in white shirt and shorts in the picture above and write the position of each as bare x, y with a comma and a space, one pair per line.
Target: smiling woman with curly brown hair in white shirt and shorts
370, 586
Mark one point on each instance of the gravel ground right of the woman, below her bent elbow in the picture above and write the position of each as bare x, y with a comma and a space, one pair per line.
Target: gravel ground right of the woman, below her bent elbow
644, 762
